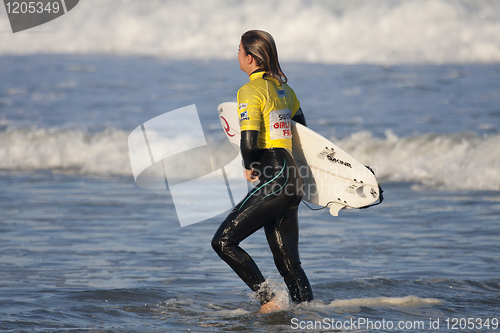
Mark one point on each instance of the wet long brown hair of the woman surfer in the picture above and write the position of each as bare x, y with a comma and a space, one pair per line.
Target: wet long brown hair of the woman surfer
261, 46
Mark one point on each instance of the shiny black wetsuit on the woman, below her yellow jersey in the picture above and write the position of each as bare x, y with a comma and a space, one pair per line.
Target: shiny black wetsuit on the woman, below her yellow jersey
272, 204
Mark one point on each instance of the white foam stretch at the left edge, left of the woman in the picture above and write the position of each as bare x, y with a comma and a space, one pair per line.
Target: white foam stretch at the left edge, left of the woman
70, 151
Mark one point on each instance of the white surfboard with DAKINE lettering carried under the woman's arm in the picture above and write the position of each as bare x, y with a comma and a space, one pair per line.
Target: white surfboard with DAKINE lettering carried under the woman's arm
332, 178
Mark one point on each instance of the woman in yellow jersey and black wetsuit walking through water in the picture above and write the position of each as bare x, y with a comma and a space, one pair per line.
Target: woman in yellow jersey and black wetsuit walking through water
266, 105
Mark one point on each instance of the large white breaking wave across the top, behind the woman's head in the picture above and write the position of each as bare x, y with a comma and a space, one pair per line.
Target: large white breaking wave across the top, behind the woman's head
345, 31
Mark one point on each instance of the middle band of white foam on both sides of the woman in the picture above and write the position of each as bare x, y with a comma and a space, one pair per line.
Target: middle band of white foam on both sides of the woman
447, 161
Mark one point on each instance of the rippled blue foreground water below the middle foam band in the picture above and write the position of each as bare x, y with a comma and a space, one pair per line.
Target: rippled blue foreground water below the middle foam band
101, 254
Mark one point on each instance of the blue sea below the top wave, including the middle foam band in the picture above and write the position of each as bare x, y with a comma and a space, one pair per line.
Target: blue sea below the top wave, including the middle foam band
84, 249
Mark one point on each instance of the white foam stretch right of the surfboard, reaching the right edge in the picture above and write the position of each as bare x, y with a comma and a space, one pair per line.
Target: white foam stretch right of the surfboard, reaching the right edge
461, 161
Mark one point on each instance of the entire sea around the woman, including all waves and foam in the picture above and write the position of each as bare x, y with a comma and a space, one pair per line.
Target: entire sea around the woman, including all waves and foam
411, 88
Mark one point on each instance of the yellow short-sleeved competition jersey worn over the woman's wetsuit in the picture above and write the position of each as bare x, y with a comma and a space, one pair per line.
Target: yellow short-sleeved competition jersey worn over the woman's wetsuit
268, 107
